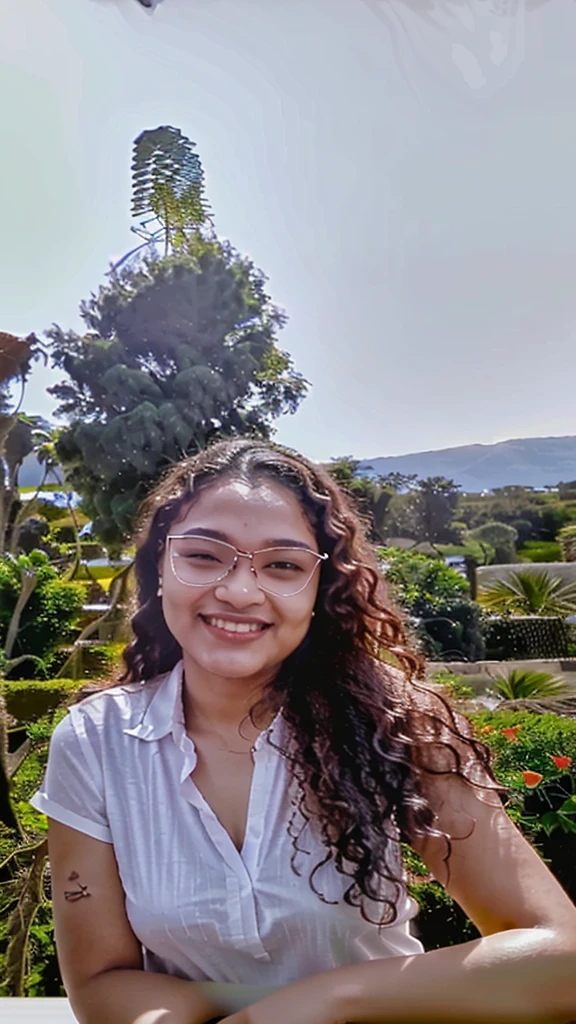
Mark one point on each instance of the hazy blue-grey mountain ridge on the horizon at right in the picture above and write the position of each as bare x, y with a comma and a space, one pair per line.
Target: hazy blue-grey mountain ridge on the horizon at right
534, 462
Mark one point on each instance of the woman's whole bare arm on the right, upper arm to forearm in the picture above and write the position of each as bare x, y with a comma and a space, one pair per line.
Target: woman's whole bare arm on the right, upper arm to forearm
522, 971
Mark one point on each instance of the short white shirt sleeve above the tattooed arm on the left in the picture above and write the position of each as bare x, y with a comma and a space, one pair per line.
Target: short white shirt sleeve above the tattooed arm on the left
72, 791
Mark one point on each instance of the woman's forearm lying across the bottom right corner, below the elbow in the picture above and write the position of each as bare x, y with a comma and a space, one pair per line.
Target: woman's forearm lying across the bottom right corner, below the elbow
517, 977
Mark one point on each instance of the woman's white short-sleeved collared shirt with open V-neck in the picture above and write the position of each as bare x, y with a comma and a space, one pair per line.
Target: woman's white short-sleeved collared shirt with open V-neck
119, 770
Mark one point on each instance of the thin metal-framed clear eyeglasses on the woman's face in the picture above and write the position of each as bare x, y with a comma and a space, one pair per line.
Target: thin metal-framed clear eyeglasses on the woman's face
198, 562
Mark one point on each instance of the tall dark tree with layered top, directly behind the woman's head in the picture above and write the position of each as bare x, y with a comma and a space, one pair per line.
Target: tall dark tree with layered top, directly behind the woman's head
179, 350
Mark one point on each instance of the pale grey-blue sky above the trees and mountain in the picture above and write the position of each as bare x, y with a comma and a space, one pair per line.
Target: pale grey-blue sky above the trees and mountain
407, 186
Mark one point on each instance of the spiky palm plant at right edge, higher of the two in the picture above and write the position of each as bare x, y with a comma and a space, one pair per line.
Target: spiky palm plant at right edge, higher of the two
528, 593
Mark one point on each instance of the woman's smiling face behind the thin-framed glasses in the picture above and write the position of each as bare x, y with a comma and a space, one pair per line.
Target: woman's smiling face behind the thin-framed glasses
251, 519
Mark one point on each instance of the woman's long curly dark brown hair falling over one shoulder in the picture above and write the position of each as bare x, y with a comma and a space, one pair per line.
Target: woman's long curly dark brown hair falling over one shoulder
363, 726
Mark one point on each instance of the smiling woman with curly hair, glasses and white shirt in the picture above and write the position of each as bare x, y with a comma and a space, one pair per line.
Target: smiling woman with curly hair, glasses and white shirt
225, 828
